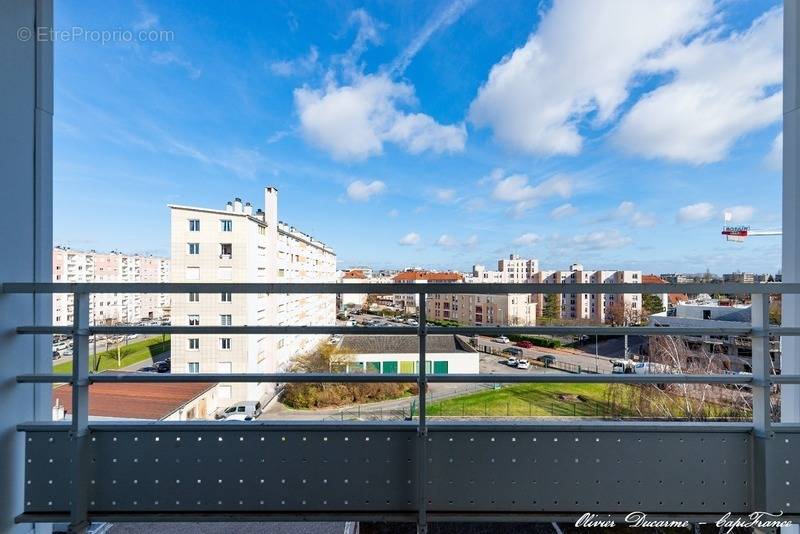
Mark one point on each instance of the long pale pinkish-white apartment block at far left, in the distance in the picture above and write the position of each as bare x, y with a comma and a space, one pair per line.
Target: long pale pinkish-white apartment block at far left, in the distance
71, 265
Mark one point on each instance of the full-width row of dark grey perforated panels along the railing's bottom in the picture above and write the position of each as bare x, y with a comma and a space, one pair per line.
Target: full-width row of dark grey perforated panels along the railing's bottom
468, 471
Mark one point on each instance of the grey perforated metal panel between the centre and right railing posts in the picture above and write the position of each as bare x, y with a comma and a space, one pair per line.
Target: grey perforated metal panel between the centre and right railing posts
589, 471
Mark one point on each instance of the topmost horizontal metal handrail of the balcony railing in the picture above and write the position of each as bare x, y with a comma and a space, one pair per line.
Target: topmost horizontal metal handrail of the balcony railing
397, 288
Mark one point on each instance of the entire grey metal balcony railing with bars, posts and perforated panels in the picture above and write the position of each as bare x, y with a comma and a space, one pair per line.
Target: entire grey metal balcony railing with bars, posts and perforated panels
415, 470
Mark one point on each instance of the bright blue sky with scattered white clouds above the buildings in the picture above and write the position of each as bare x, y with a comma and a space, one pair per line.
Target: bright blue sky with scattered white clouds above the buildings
437, 134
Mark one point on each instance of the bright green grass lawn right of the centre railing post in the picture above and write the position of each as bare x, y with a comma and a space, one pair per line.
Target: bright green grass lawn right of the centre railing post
531, 400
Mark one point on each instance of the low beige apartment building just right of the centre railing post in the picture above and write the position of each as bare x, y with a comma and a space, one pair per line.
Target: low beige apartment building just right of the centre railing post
517, 309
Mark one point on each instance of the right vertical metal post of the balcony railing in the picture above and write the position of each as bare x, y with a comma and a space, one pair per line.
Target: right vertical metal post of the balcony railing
761, 365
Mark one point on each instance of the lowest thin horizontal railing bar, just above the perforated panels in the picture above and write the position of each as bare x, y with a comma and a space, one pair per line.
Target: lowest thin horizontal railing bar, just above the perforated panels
531, 378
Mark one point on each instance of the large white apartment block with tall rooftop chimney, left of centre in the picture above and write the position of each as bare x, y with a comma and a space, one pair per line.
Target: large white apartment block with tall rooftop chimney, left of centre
237, 245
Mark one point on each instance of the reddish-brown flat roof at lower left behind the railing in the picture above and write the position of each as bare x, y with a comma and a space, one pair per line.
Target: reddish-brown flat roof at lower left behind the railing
134, 401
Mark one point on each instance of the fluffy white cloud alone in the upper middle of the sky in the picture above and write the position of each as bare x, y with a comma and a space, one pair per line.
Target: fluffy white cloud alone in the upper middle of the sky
352, 122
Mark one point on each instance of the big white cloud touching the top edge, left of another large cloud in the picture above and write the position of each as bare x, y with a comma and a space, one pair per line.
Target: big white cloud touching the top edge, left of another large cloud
578, 63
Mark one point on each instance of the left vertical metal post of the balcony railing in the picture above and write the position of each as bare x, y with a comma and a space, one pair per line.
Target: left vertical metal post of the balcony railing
79, 430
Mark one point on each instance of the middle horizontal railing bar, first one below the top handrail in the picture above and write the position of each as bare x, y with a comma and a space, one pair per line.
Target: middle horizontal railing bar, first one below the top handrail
403, 330
